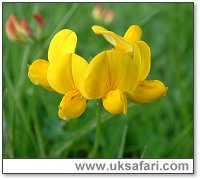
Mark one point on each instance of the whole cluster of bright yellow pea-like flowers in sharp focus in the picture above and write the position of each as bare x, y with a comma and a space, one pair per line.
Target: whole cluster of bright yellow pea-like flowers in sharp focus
113, 75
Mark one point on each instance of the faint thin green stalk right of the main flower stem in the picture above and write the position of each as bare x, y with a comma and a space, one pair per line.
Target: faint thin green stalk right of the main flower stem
123, 140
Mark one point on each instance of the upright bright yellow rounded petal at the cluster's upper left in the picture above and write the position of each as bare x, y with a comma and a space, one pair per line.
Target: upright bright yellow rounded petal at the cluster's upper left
63, 42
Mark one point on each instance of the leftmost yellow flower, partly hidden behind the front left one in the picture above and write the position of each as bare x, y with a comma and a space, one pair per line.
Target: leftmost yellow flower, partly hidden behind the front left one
63, 42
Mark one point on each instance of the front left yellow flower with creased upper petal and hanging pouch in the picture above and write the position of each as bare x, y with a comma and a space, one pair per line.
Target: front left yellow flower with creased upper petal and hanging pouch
65, 75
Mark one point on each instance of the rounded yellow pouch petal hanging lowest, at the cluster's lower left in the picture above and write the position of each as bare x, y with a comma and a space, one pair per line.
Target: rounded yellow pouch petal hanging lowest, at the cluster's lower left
72, 105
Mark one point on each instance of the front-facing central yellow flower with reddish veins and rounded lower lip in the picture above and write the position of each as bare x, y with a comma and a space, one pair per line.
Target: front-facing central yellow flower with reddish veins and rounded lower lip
112, 76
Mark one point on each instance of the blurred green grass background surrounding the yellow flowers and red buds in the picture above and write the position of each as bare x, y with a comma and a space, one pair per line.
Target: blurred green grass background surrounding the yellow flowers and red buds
162, 129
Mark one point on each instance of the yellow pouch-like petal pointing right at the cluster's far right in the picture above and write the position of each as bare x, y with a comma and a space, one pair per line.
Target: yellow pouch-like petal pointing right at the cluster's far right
148, 91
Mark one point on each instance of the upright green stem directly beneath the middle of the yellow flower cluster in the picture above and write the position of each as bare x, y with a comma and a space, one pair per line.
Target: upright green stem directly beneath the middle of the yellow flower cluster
98, 131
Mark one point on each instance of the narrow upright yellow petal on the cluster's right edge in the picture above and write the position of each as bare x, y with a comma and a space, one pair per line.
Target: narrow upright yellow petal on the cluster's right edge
145, 59
